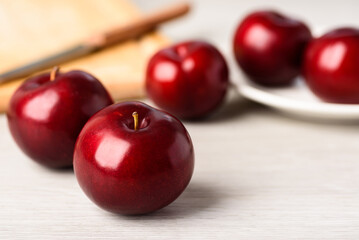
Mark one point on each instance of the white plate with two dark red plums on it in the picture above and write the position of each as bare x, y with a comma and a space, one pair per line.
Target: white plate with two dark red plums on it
296, 99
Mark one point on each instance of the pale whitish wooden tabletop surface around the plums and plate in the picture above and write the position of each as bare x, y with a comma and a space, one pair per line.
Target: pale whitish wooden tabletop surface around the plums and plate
258, 174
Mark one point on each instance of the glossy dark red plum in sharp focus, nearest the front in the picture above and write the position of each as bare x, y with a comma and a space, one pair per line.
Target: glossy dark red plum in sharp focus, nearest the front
129, 171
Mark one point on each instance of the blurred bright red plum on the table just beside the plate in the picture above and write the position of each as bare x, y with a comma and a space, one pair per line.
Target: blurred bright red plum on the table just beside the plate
189, 79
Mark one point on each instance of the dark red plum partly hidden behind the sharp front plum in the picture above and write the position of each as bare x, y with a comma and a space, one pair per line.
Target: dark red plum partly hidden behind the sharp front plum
45, 117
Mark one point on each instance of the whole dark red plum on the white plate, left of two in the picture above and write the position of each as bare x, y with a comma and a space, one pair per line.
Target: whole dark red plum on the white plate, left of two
269, 46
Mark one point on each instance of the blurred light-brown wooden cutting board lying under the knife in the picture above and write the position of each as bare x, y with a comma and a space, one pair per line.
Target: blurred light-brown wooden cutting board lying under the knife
30, 30
